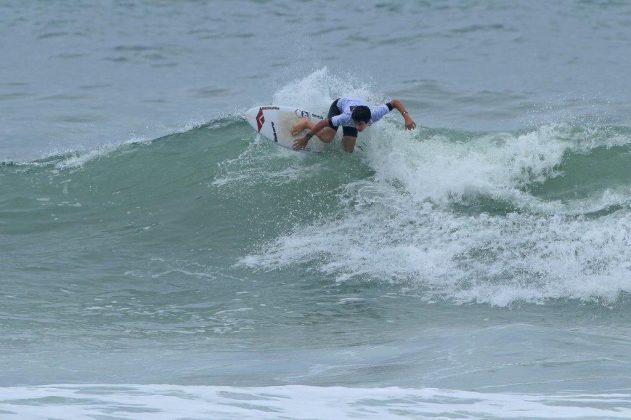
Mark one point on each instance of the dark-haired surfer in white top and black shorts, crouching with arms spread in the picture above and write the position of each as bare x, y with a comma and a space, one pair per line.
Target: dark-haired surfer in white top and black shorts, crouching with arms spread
354, 115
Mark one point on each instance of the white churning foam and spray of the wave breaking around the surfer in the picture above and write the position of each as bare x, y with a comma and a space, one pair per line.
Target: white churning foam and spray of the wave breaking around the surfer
455, 216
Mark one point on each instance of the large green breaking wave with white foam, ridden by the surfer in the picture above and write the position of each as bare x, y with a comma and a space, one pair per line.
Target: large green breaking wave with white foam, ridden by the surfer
459, 216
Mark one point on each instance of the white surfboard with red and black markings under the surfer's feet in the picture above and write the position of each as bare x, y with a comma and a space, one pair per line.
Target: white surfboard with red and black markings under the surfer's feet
275, 123
